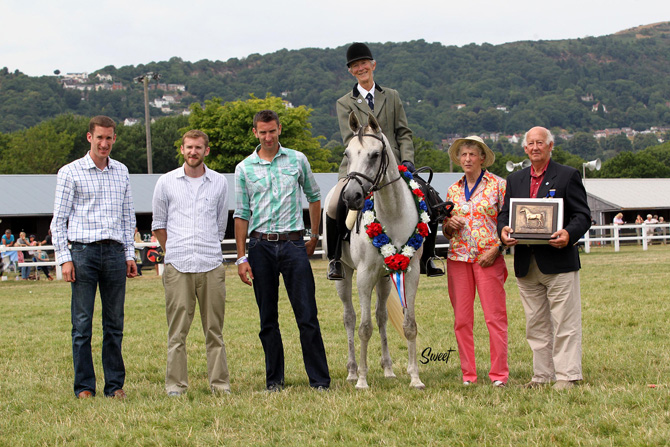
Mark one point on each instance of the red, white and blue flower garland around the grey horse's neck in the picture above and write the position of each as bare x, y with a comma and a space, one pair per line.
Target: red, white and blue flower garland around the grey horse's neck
397, 261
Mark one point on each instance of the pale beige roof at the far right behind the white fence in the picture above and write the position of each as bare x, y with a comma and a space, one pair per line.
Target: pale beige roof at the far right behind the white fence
631, 193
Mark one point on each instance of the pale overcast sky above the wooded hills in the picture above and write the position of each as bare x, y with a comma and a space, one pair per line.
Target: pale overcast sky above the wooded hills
40, 36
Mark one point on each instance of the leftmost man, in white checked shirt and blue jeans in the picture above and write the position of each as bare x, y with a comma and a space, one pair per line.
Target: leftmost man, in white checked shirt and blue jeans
93, 211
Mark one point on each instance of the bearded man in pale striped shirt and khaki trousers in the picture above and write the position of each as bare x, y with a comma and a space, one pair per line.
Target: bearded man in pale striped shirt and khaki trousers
190, 213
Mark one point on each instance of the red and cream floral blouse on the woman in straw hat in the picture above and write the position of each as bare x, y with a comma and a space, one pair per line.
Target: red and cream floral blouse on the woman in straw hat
480, 233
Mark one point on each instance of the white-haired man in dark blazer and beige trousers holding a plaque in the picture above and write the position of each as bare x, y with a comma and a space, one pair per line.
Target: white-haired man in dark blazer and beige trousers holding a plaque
548, 275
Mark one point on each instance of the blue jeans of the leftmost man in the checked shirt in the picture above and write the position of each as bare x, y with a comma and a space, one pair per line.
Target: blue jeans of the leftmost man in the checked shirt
96, 265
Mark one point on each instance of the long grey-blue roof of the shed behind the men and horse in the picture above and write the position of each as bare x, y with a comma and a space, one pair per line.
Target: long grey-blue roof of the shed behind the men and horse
33, 195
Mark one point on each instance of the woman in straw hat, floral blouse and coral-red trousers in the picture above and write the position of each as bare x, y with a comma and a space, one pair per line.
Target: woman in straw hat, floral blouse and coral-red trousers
475, 261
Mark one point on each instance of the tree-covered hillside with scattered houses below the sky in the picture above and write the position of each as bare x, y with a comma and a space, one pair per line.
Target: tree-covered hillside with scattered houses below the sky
620, 80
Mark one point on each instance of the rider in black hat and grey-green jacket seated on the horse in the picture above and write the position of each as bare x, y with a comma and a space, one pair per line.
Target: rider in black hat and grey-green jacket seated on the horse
384, 103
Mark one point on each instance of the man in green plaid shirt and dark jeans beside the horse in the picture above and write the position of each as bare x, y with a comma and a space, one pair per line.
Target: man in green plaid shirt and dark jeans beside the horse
268, 186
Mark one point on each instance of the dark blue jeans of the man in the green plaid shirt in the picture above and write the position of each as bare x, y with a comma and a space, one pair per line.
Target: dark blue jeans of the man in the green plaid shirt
289, 258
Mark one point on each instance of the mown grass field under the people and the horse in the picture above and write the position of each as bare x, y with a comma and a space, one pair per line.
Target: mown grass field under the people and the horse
624, 400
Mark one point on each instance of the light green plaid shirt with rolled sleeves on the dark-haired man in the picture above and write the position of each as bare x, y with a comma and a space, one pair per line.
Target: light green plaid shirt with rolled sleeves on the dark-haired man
267, 194
